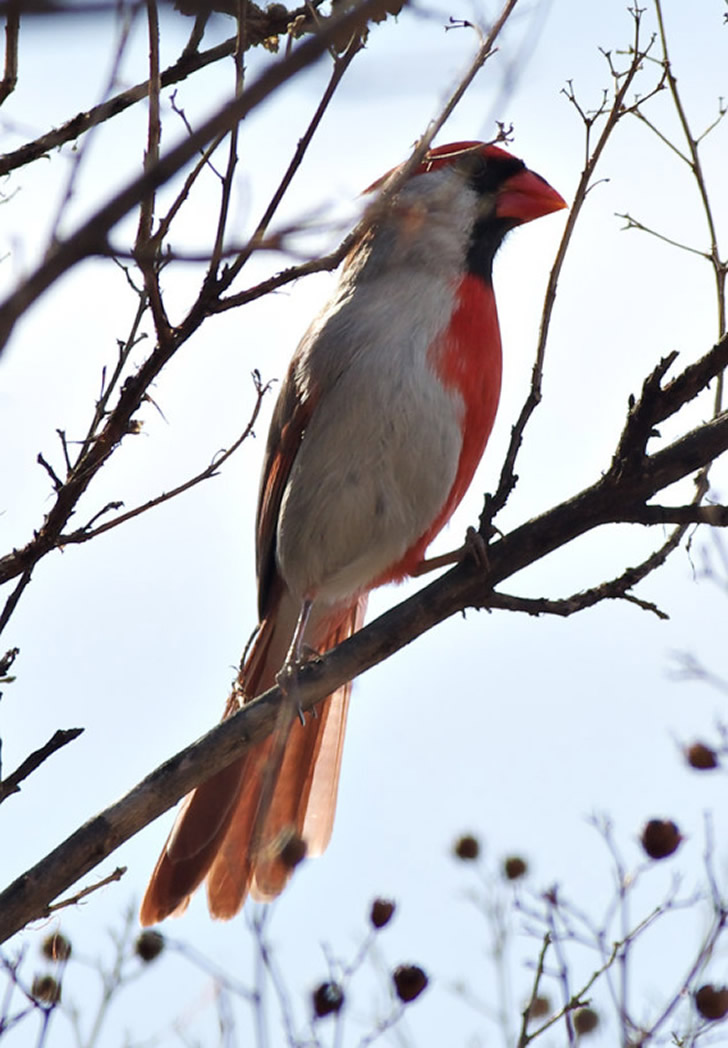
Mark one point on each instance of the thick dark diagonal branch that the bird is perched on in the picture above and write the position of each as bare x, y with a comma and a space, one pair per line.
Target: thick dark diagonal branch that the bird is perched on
613, 498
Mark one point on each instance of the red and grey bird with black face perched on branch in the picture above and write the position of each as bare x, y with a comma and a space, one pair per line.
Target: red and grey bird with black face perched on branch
380, 425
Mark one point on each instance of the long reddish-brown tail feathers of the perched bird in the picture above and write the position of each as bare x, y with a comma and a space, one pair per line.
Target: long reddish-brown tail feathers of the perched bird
223, 833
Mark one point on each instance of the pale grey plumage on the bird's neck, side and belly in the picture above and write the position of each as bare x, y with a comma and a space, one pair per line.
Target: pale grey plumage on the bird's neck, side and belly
381, 453
